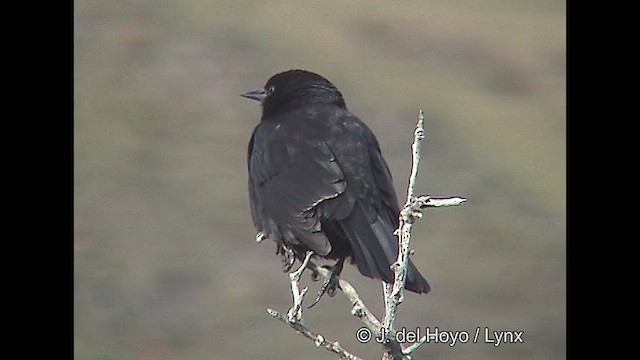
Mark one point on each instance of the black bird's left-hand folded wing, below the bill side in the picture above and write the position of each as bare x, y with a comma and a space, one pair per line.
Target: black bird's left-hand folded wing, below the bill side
289, 175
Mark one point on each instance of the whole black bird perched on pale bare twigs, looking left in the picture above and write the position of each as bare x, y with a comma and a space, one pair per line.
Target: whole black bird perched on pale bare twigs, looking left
317, 180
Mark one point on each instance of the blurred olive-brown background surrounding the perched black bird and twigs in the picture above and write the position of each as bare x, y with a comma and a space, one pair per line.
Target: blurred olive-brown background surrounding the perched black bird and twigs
166, 266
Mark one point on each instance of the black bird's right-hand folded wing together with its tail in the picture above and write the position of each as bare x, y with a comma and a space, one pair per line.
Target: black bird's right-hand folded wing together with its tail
366, 214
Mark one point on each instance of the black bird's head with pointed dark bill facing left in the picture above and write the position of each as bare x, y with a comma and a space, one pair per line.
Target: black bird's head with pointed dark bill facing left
293, 89
